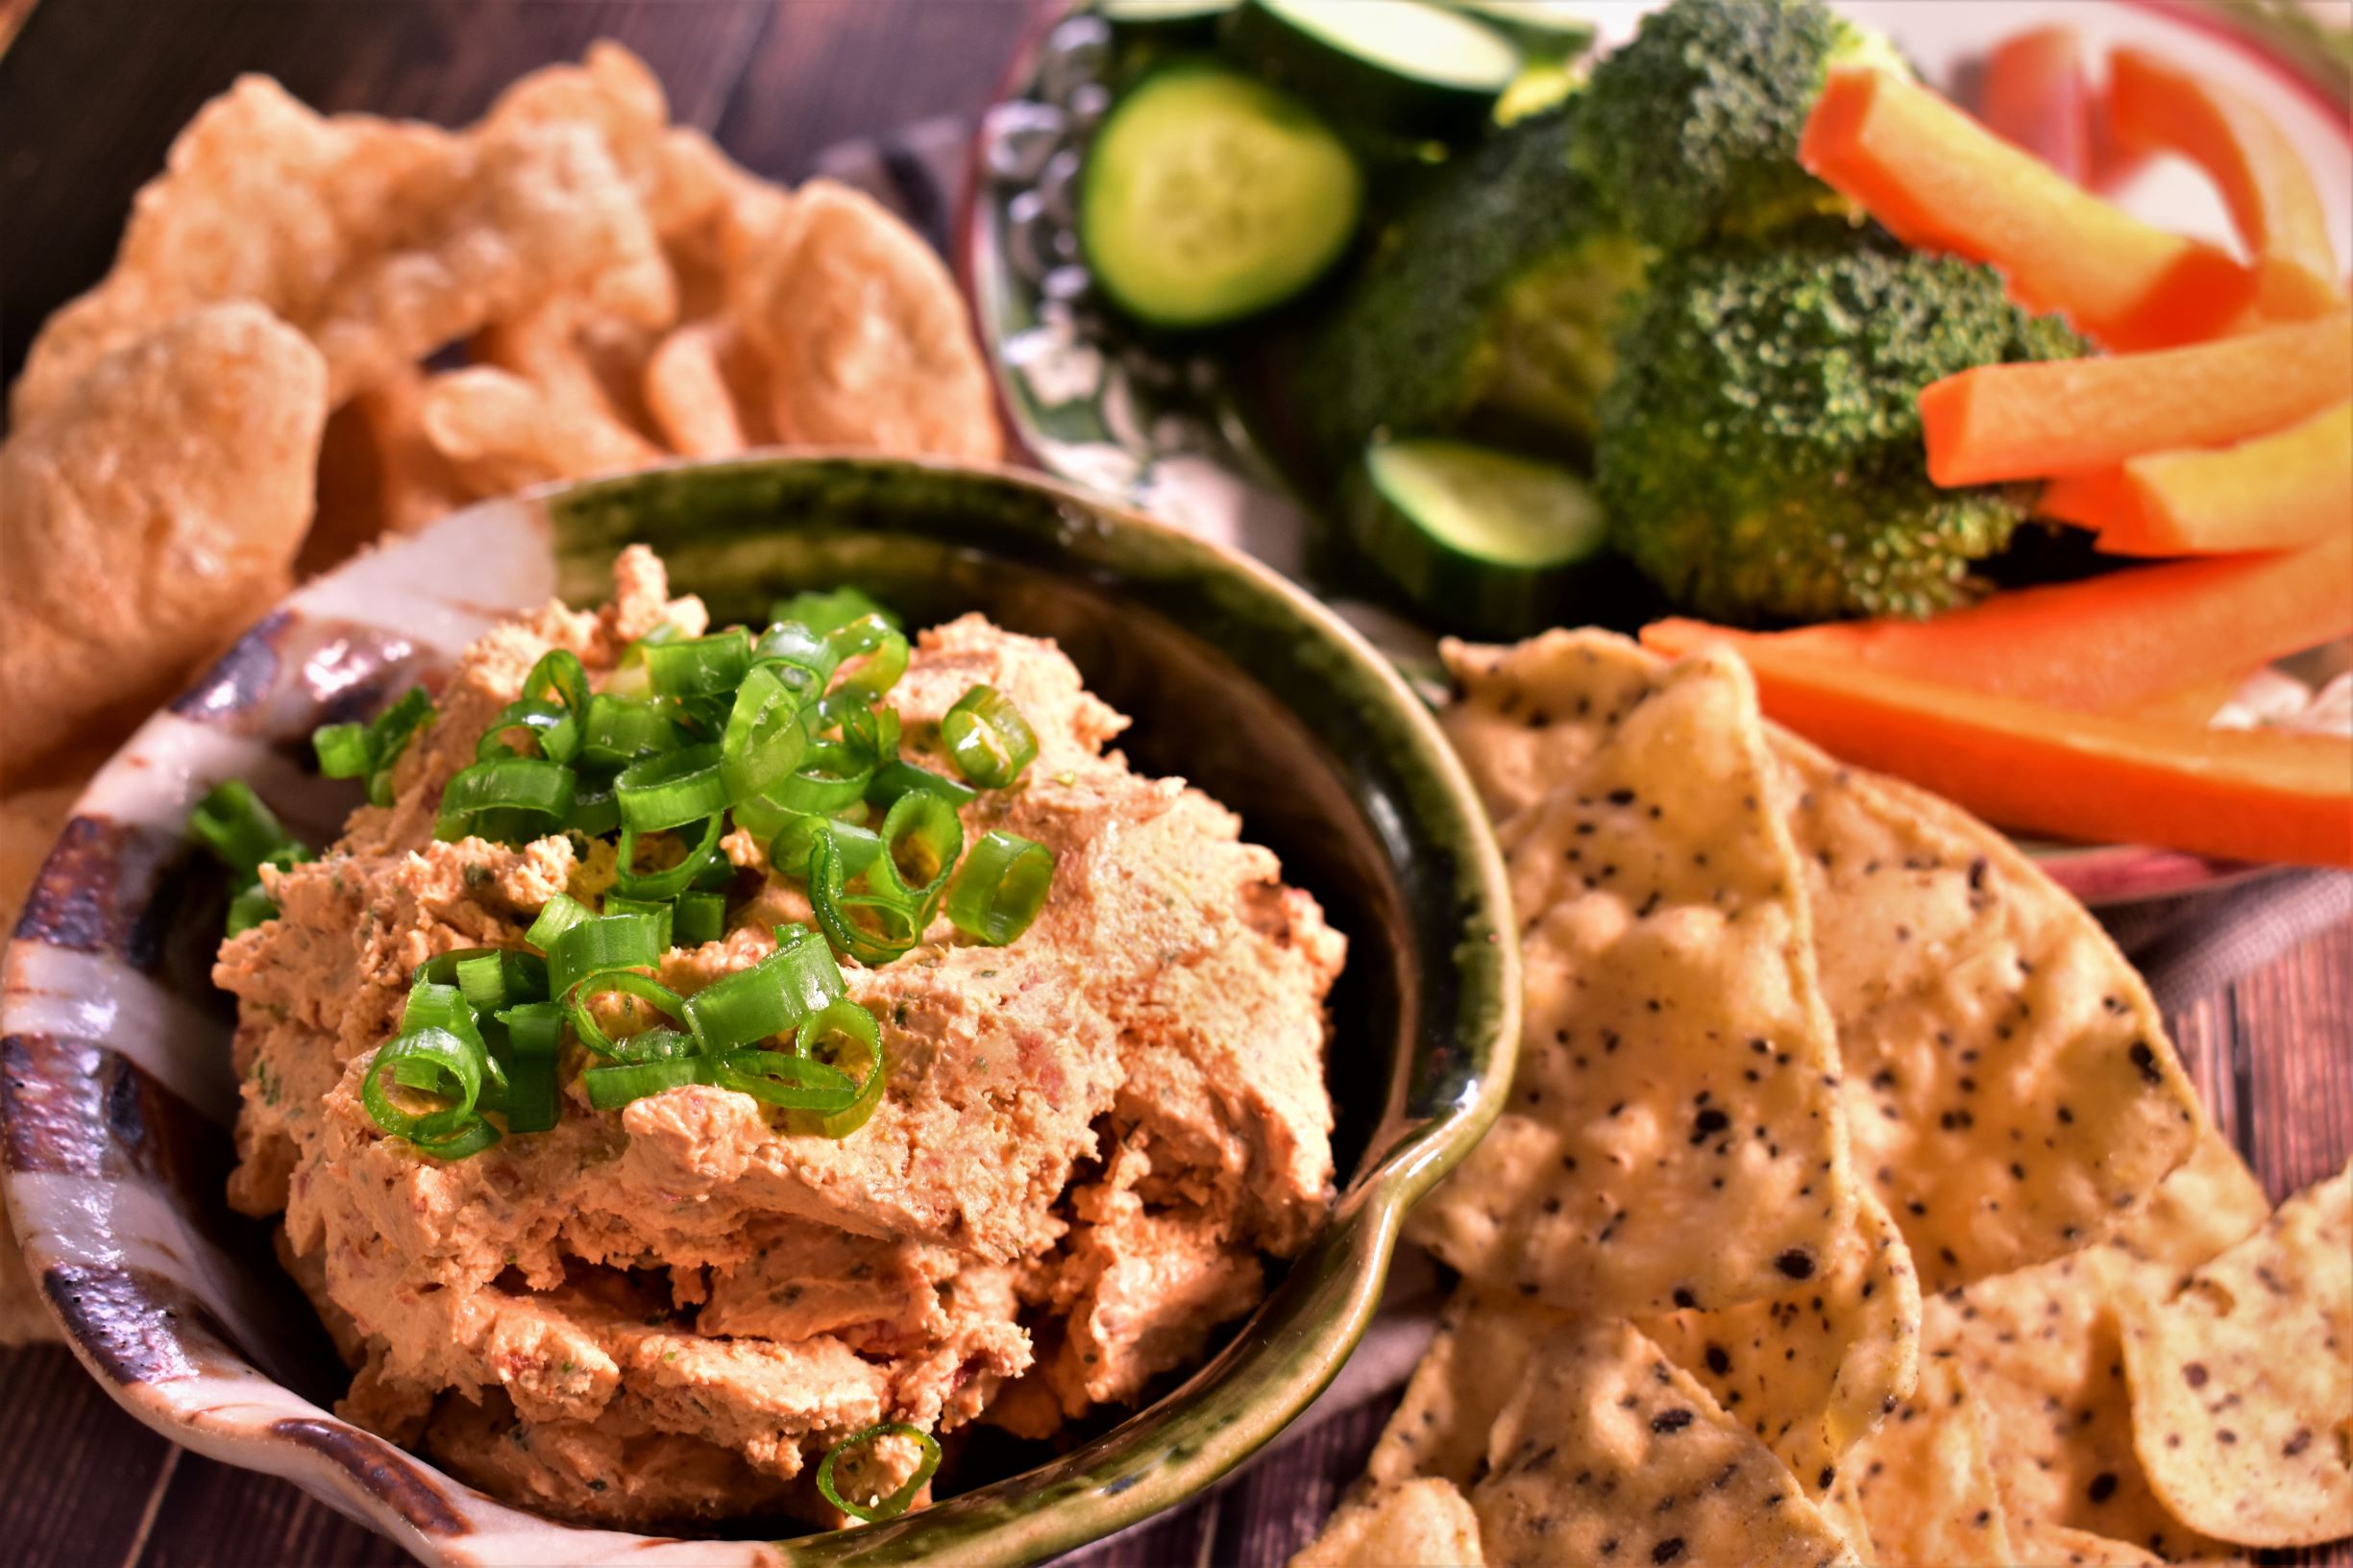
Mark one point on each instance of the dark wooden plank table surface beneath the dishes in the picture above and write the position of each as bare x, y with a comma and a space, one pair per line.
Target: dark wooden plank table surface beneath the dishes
91, 95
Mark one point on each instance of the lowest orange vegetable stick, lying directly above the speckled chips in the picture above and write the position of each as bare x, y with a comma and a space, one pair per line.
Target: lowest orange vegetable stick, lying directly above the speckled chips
2244, 795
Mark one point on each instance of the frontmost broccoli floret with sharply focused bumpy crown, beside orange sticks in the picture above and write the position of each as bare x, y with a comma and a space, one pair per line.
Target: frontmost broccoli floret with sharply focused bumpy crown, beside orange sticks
1761, 444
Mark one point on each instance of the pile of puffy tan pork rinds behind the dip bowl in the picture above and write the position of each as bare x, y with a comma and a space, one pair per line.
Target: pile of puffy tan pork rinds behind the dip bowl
333, 328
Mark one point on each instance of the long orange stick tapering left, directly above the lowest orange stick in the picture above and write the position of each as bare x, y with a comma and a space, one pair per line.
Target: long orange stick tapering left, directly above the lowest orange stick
2098, 646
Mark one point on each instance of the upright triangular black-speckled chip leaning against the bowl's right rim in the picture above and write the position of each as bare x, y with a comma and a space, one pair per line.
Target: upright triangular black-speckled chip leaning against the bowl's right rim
1674, 1136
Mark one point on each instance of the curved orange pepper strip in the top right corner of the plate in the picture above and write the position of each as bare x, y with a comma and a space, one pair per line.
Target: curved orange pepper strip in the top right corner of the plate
2265, 182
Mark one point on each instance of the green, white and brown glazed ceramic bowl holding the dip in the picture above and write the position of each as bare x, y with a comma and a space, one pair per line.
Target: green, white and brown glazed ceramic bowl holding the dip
1237, 682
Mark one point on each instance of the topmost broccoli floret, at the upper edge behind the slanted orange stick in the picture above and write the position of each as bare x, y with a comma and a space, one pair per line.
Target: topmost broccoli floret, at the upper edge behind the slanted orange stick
1691, 131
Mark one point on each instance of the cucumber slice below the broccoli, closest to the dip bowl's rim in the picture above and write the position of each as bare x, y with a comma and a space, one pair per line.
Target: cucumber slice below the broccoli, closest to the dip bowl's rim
1479, 538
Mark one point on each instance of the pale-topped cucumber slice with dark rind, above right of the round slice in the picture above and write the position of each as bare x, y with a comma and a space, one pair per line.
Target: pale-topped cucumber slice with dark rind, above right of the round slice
1404, 67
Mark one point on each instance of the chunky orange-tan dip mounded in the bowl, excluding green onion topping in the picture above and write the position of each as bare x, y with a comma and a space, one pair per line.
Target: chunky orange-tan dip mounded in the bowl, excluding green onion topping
1091, 1138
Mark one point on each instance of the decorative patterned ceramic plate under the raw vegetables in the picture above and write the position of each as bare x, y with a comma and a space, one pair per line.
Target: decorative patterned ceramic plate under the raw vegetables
1161, 432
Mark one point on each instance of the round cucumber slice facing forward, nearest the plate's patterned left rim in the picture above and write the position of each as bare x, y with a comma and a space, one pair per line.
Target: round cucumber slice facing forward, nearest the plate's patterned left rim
1211, 197
